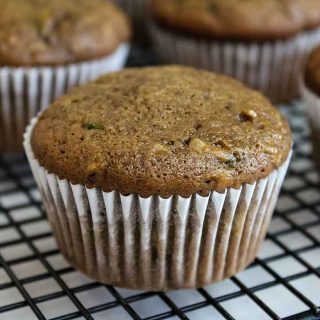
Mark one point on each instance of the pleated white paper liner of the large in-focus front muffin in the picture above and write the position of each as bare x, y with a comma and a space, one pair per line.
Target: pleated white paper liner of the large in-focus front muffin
155, 243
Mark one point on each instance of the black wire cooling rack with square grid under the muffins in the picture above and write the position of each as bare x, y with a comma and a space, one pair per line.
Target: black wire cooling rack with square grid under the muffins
283, 282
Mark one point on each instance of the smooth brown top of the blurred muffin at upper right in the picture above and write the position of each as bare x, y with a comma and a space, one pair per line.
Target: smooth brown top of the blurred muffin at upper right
239, 19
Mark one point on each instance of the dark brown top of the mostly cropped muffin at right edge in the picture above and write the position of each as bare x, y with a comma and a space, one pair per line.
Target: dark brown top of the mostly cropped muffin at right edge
312, 74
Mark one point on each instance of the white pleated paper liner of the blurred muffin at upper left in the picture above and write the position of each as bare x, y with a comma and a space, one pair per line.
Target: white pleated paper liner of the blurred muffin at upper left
25, 91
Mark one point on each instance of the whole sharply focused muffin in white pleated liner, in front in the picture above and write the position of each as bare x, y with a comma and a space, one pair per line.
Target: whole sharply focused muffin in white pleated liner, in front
160, 178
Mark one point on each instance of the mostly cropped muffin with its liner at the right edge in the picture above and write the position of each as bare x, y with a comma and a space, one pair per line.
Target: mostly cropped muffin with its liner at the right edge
311, 96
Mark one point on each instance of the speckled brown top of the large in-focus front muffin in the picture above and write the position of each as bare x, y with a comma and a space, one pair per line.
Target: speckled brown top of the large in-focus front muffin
163, 130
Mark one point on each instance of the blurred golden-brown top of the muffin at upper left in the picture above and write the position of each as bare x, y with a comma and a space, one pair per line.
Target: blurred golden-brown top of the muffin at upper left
42, 32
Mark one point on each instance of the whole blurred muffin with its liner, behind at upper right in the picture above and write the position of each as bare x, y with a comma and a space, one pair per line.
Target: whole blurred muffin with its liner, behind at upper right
262, 43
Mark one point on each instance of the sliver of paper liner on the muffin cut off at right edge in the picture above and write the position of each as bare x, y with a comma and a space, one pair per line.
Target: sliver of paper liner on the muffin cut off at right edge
312, 104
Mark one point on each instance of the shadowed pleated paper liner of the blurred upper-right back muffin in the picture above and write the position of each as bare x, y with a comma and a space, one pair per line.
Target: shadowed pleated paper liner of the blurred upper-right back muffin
271, 67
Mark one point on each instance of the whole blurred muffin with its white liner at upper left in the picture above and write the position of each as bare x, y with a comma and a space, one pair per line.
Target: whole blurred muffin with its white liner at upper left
47, 47
